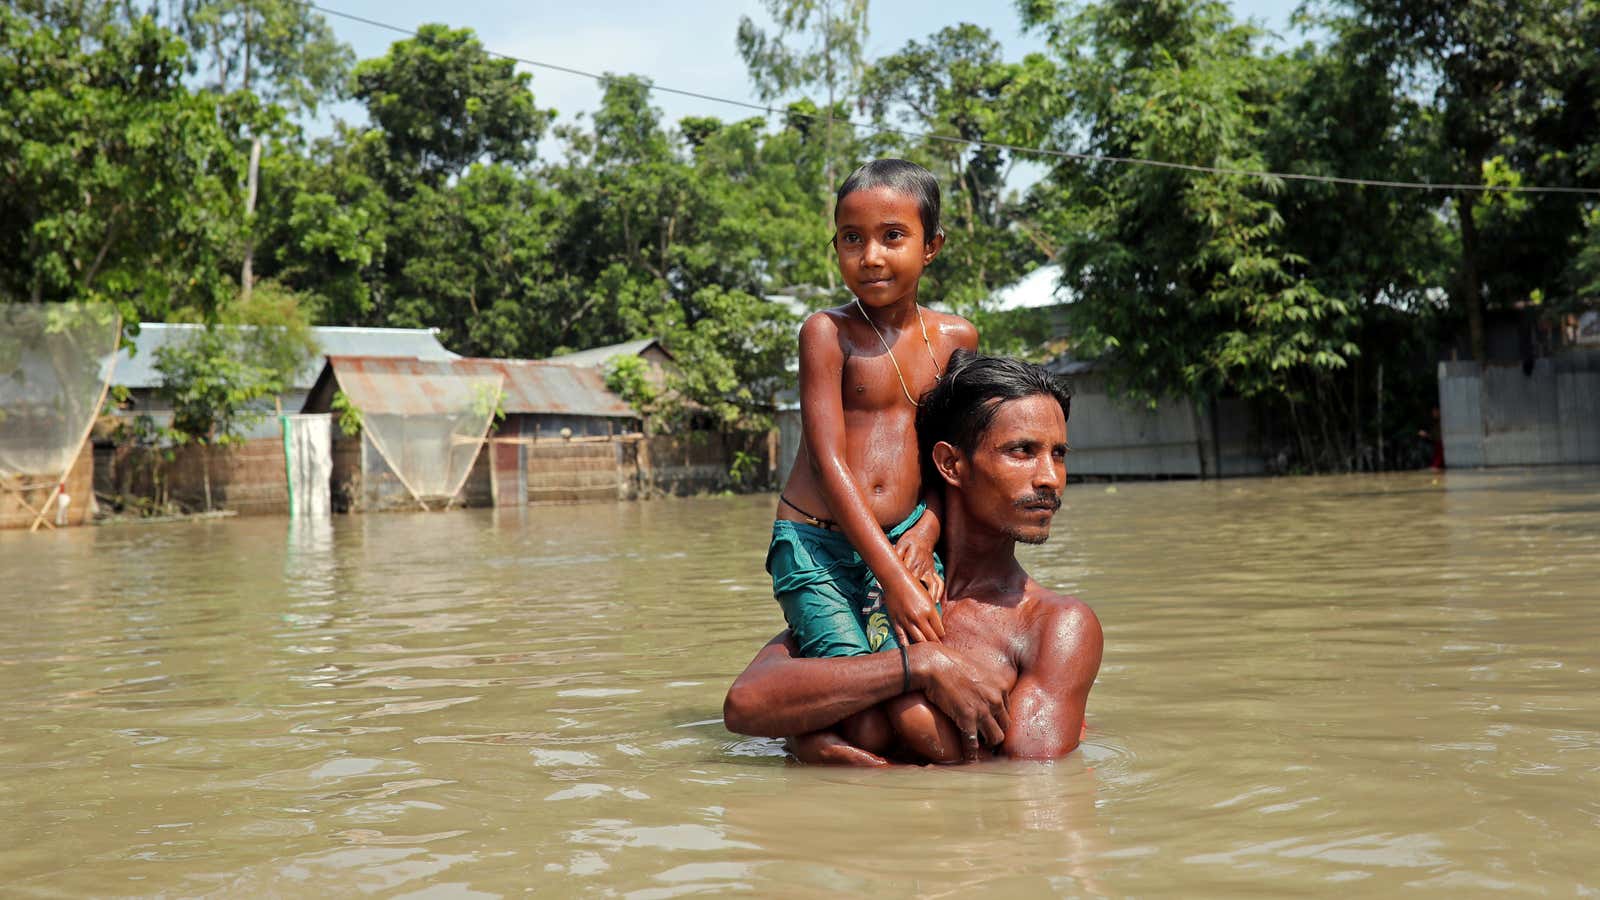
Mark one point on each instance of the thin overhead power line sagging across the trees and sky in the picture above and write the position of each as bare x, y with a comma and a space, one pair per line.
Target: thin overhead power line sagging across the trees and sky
874, 127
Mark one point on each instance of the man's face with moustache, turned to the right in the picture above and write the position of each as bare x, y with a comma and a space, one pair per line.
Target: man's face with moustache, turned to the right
1012, 481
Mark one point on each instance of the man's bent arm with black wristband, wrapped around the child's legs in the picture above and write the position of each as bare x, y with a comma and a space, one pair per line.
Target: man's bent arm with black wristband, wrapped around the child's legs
783, 694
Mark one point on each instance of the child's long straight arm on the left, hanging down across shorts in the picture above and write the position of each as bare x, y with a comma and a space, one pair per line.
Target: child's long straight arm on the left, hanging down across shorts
823, 422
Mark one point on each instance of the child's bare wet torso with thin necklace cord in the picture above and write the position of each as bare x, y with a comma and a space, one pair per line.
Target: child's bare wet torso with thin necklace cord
881, 422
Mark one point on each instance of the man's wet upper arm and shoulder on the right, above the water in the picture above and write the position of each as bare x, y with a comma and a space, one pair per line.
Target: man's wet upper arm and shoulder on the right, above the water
1054, 688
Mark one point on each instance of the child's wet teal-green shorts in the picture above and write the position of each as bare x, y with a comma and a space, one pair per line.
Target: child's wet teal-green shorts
830, 597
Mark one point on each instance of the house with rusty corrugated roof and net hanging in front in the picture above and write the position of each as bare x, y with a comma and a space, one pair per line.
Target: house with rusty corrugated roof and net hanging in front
473, 432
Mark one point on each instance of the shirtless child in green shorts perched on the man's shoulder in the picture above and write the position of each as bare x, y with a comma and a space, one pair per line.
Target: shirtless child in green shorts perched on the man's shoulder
852, 555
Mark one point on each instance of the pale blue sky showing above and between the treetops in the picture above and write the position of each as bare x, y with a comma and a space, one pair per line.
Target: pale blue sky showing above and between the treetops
686, 46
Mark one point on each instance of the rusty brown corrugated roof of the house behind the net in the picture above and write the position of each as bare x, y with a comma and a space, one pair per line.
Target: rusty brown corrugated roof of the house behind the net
530, 387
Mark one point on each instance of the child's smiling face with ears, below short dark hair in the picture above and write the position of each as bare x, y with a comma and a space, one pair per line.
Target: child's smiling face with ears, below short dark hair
881, 246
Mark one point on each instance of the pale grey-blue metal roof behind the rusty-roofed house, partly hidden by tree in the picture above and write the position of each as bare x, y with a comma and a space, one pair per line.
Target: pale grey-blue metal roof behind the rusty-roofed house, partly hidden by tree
138, 369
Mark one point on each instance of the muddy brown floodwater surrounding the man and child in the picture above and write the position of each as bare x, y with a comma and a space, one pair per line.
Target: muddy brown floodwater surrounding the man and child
1311, 688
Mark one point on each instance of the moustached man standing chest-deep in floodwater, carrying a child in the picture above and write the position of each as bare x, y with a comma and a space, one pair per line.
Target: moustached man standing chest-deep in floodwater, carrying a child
1017, 662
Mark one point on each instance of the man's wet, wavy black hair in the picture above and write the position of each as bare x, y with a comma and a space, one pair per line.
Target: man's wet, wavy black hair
964, 403
